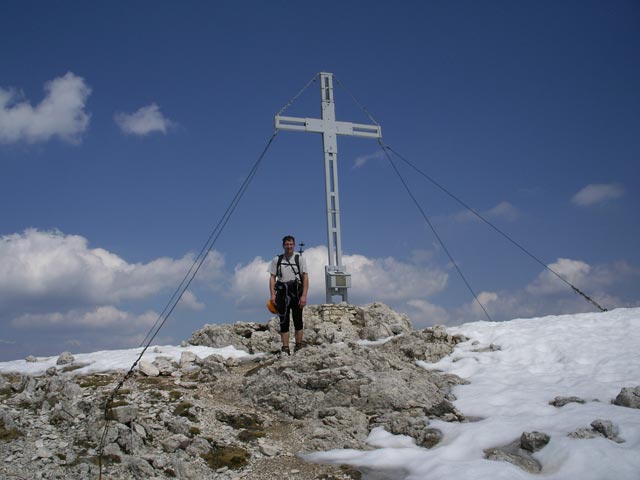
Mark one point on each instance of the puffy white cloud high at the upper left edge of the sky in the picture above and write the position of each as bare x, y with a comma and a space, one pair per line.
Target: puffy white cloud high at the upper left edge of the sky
61, 112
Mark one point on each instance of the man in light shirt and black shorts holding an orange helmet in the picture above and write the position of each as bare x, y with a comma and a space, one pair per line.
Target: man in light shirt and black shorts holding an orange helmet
288, 285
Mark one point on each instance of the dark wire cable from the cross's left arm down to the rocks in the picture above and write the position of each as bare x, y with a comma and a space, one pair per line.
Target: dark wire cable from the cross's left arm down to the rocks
179, 292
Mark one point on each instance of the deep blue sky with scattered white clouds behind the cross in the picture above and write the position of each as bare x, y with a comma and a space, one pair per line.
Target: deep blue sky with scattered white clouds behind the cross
126, 128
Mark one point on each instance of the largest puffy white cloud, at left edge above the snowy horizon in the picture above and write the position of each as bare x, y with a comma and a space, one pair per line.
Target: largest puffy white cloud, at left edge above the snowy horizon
50, 271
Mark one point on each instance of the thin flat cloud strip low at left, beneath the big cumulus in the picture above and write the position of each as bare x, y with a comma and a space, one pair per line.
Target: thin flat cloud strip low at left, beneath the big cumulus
99, 318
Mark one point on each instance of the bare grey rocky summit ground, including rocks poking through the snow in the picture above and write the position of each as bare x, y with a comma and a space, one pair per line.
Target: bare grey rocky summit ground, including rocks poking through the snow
211, 418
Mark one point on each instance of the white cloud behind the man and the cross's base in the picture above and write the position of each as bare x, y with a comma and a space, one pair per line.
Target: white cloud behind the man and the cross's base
384, 279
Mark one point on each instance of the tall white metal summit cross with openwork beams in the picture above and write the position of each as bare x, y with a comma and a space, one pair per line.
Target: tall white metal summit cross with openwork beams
337, 279
